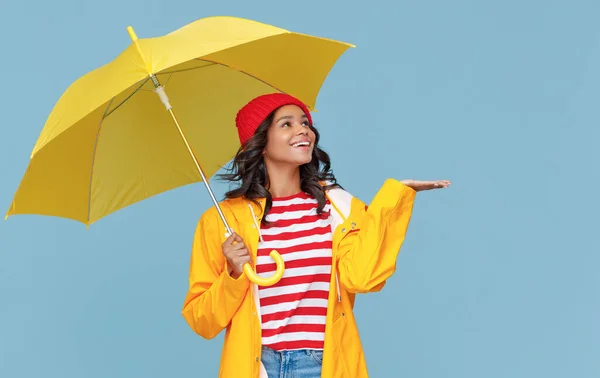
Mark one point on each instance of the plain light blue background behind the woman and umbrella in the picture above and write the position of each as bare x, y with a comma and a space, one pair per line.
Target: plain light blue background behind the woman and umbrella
499, 275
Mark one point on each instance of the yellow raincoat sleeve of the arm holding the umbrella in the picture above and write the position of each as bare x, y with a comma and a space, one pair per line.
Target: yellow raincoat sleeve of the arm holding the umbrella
213, 296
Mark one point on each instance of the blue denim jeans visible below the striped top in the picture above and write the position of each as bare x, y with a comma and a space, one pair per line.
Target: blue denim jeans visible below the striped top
305, 363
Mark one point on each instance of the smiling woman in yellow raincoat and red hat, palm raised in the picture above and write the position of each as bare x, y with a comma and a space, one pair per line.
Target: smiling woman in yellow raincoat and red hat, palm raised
333, 245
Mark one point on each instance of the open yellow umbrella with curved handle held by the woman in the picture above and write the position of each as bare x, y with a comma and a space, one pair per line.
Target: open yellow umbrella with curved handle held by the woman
109, 143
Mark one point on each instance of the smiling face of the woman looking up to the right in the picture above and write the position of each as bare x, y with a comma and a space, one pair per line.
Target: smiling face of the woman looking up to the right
290, 139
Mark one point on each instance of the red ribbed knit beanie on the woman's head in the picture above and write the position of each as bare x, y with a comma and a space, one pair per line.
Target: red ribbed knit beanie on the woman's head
253, 113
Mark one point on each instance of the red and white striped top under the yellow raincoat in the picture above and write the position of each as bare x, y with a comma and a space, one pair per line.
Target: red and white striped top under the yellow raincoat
293, 311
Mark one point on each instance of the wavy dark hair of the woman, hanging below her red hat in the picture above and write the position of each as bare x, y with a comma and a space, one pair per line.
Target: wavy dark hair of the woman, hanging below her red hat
248, 166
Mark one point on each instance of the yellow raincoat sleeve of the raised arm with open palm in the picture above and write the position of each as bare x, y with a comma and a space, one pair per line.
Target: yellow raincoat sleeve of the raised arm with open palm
367, 256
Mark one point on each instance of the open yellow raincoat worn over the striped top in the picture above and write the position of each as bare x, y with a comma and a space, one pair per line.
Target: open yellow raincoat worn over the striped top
366, 243
